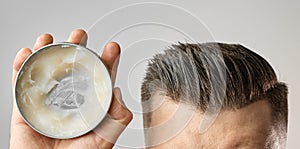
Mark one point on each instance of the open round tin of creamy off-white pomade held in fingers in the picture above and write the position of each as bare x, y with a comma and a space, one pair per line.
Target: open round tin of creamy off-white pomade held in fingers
63, 90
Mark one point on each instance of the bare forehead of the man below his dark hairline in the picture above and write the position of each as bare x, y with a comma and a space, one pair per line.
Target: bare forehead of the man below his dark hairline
247, 127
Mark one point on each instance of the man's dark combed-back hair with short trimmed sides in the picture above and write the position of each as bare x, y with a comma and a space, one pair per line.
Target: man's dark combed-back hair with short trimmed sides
226, 75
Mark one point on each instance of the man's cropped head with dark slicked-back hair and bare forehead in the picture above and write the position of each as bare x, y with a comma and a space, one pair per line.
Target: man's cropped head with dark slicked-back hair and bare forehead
252, 103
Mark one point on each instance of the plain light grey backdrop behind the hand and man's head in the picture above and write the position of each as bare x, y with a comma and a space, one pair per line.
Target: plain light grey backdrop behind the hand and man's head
270, 28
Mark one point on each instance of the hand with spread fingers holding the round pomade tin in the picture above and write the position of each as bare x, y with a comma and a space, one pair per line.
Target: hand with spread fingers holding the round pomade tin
23, 136
